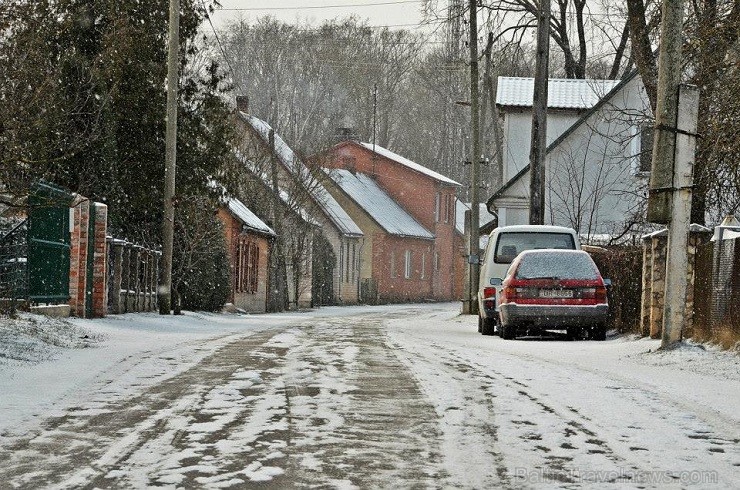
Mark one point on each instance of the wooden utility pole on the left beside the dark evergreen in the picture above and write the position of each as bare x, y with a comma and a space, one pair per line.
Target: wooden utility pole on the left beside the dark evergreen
168, 221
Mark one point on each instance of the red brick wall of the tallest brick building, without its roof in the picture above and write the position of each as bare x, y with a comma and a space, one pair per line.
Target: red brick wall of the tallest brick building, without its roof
417, 194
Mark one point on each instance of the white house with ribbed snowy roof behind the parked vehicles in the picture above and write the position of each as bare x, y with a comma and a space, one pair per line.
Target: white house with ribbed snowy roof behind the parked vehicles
596, 179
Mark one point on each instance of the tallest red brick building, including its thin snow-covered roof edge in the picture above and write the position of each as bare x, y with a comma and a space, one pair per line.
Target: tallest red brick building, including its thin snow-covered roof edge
427, 196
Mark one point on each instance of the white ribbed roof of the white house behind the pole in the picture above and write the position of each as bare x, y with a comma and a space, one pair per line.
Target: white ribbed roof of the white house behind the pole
562, 93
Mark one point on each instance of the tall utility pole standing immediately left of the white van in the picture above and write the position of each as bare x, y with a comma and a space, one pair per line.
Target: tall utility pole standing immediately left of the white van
475, 157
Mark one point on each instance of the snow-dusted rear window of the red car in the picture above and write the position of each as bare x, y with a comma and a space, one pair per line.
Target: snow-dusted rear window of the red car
557, 265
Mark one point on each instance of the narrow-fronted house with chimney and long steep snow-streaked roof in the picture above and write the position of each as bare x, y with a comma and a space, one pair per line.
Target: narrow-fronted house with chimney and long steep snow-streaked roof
263, 147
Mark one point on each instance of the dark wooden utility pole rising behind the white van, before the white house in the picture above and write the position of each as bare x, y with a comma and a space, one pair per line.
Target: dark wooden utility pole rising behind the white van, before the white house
539, 119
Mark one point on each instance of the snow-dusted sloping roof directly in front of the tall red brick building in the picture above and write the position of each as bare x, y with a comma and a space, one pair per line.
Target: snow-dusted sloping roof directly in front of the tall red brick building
380, 206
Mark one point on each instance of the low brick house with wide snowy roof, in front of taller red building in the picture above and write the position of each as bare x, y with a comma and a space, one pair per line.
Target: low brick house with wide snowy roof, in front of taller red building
396, 257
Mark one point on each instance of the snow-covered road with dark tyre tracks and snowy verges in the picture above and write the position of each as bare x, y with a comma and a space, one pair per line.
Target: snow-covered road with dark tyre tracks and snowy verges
386, 397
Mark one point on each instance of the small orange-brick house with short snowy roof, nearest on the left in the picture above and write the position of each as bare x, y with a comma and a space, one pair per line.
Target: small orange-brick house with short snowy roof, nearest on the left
248, 241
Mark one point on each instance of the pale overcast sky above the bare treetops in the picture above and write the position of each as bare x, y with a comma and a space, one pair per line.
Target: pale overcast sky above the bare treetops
406, 13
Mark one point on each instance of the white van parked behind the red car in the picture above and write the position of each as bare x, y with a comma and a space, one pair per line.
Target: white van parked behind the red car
504, 244
